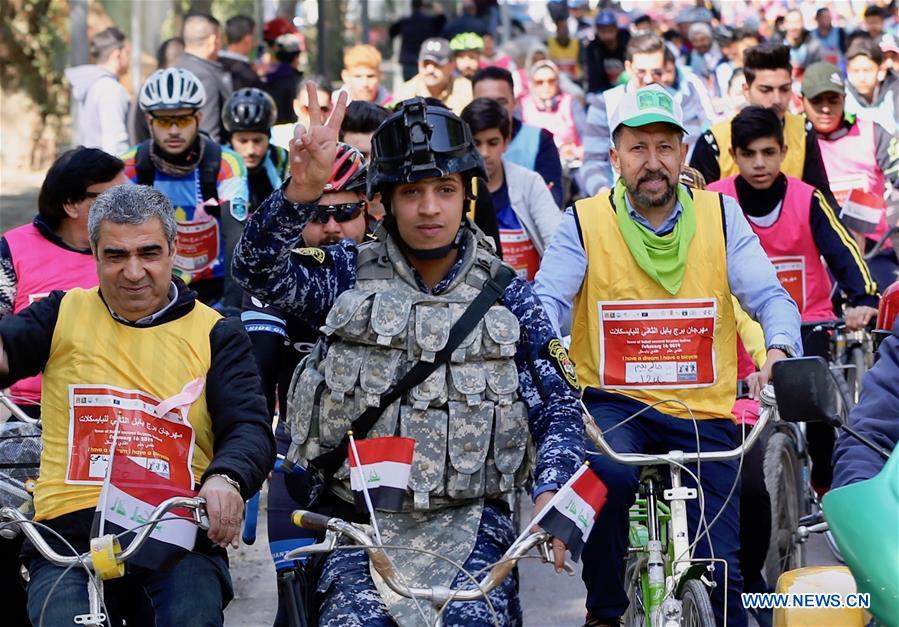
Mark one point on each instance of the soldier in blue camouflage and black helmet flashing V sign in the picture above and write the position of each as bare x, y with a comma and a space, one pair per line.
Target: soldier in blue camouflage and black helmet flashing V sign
504, 405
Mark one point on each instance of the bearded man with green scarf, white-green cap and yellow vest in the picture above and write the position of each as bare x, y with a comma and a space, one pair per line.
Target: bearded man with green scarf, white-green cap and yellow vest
645, 275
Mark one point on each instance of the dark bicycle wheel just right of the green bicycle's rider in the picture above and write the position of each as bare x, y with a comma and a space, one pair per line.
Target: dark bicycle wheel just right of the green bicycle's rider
783, 480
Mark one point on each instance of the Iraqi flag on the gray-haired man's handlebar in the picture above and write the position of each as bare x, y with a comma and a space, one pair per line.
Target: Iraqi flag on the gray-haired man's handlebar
134, 486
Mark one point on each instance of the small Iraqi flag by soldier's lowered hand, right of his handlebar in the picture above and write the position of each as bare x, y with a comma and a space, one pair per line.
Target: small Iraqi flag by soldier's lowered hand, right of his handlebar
573, 510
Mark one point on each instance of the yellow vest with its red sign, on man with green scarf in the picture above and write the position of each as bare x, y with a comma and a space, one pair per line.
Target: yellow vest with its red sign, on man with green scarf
630, 336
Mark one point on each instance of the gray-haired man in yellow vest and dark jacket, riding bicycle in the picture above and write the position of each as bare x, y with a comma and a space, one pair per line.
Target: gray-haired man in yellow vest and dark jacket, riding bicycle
141, 353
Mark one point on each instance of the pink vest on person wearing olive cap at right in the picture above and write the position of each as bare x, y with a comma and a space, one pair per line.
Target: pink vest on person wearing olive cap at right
851, 163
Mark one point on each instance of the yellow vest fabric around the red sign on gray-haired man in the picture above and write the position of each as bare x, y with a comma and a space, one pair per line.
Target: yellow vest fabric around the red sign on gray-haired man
90, 348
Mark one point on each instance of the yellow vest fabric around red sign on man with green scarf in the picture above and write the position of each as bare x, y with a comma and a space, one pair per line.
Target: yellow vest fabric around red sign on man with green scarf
613, 275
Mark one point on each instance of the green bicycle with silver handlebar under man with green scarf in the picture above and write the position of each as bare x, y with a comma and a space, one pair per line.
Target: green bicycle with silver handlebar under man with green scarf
665, 515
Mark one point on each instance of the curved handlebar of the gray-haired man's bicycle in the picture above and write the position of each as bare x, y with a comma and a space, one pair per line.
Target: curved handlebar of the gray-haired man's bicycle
195, 504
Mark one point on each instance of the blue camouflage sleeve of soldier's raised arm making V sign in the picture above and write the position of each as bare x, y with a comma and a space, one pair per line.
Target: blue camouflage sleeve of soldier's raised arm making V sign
270, 263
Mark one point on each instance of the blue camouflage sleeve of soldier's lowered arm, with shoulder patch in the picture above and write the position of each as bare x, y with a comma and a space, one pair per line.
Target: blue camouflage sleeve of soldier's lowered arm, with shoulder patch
548, 386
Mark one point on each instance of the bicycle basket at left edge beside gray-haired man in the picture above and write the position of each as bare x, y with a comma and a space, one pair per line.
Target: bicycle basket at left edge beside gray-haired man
20, 458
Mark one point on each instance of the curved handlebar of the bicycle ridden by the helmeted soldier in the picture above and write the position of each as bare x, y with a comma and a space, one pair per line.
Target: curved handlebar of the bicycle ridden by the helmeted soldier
437, 595
